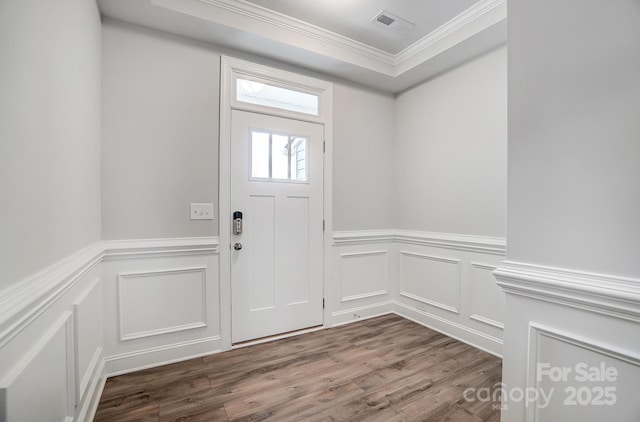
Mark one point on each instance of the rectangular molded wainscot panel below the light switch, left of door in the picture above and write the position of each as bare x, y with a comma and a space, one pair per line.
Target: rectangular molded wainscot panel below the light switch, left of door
178, 301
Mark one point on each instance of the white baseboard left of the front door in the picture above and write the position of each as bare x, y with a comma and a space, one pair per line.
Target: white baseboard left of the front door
162, 355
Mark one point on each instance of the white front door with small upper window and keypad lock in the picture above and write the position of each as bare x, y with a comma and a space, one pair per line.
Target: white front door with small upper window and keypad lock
276, 261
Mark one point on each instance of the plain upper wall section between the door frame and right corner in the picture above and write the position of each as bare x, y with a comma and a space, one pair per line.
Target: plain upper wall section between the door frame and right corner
363, 154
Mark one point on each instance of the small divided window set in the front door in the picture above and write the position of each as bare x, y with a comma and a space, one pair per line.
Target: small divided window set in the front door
277, 156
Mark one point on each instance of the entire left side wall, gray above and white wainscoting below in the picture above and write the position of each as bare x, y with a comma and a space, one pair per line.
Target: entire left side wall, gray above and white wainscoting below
50, 324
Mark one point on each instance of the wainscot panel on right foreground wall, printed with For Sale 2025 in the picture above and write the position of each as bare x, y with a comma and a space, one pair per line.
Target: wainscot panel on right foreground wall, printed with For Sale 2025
582, 380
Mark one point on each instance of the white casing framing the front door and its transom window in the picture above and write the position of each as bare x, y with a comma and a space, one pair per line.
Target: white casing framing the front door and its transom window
231, 68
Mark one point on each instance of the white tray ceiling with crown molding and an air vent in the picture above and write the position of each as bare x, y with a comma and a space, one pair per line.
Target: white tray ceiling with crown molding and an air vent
334, 37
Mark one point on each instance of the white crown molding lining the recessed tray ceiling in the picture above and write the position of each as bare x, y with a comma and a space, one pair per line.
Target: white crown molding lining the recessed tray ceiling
248, 17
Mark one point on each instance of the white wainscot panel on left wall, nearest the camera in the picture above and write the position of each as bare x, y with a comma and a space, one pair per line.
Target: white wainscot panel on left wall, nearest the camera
40, 386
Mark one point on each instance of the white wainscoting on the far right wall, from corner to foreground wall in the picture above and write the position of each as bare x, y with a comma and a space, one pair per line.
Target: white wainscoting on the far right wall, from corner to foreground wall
440, 287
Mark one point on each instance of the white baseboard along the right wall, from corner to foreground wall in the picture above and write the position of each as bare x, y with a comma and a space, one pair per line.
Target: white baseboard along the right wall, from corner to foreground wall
475, 338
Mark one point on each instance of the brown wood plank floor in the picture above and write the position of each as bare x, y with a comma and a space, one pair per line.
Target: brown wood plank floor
382, 369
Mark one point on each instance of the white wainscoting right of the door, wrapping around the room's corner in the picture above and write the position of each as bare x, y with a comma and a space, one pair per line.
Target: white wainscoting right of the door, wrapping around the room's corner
440, 280
